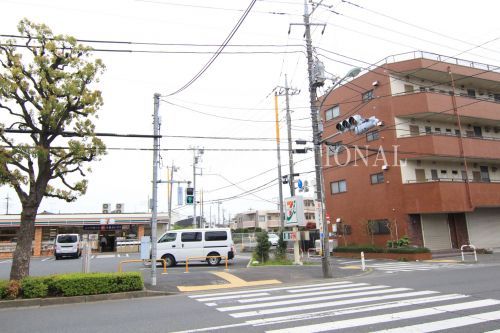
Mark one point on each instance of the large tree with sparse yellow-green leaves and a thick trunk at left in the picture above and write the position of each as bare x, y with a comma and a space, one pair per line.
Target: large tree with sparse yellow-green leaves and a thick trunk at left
45, 91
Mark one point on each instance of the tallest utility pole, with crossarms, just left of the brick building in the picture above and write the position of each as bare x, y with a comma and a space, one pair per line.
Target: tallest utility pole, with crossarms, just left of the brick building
325, 263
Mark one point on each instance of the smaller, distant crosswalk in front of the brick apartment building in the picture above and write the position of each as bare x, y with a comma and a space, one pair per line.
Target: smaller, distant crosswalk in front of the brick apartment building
401, 266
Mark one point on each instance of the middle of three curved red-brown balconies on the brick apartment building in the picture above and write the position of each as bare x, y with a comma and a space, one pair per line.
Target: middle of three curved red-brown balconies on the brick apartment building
448, 145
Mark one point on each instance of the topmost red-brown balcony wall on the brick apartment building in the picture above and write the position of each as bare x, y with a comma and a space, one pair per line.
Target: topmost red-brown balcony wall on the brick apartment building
429, 102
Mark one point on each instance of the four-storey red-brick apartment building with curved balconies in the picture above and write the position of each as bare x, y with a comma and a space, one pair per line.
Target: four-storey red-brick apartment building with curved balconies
432, 170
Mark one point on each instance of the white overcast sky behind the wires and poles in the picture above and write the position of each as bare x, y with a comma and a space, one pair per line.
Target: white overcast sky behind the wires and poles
234, 97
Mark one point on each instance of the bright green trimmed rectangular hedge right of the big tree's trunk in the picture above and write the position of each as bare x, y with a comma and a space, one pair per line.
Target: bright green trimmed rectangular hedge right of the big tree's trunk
77, 284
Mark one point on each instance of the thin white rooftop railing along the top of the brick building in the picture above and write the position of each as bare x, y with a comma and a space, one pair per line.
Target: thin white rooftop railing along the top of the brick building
440, 58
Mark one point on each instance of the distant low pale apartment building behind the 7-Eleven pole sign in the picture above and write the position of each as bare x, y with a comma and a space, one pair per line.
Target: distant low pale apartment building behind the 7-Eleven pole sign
269, 220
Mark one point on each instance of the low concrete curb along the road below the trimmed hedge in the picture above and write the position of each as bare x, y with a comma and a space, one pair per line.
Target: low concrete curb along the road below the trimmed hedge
39, 302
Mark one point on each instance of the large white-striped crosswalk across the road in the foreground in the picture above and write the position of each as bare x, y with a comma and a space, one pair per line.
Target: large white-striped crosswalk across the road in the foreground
353, 306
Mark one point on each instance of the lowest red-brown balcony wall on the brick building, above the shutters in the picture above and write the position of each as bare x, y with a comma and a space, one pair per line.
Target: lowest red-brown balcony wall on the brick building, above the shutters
440, 196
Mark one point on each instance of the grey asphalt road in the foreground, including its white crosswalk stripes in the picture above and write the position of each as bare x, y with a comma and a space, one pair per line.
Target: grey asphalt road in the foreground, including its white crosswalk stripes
409, 297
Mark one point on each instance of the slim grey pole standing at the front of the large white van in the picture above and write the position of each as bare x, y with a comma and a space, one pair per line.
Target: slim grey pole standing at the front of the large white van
156, 150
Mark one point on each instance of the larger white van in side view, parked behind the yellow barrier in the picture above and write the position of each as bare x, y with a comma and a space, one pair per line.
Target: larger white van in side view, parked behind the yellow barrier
177, 245
